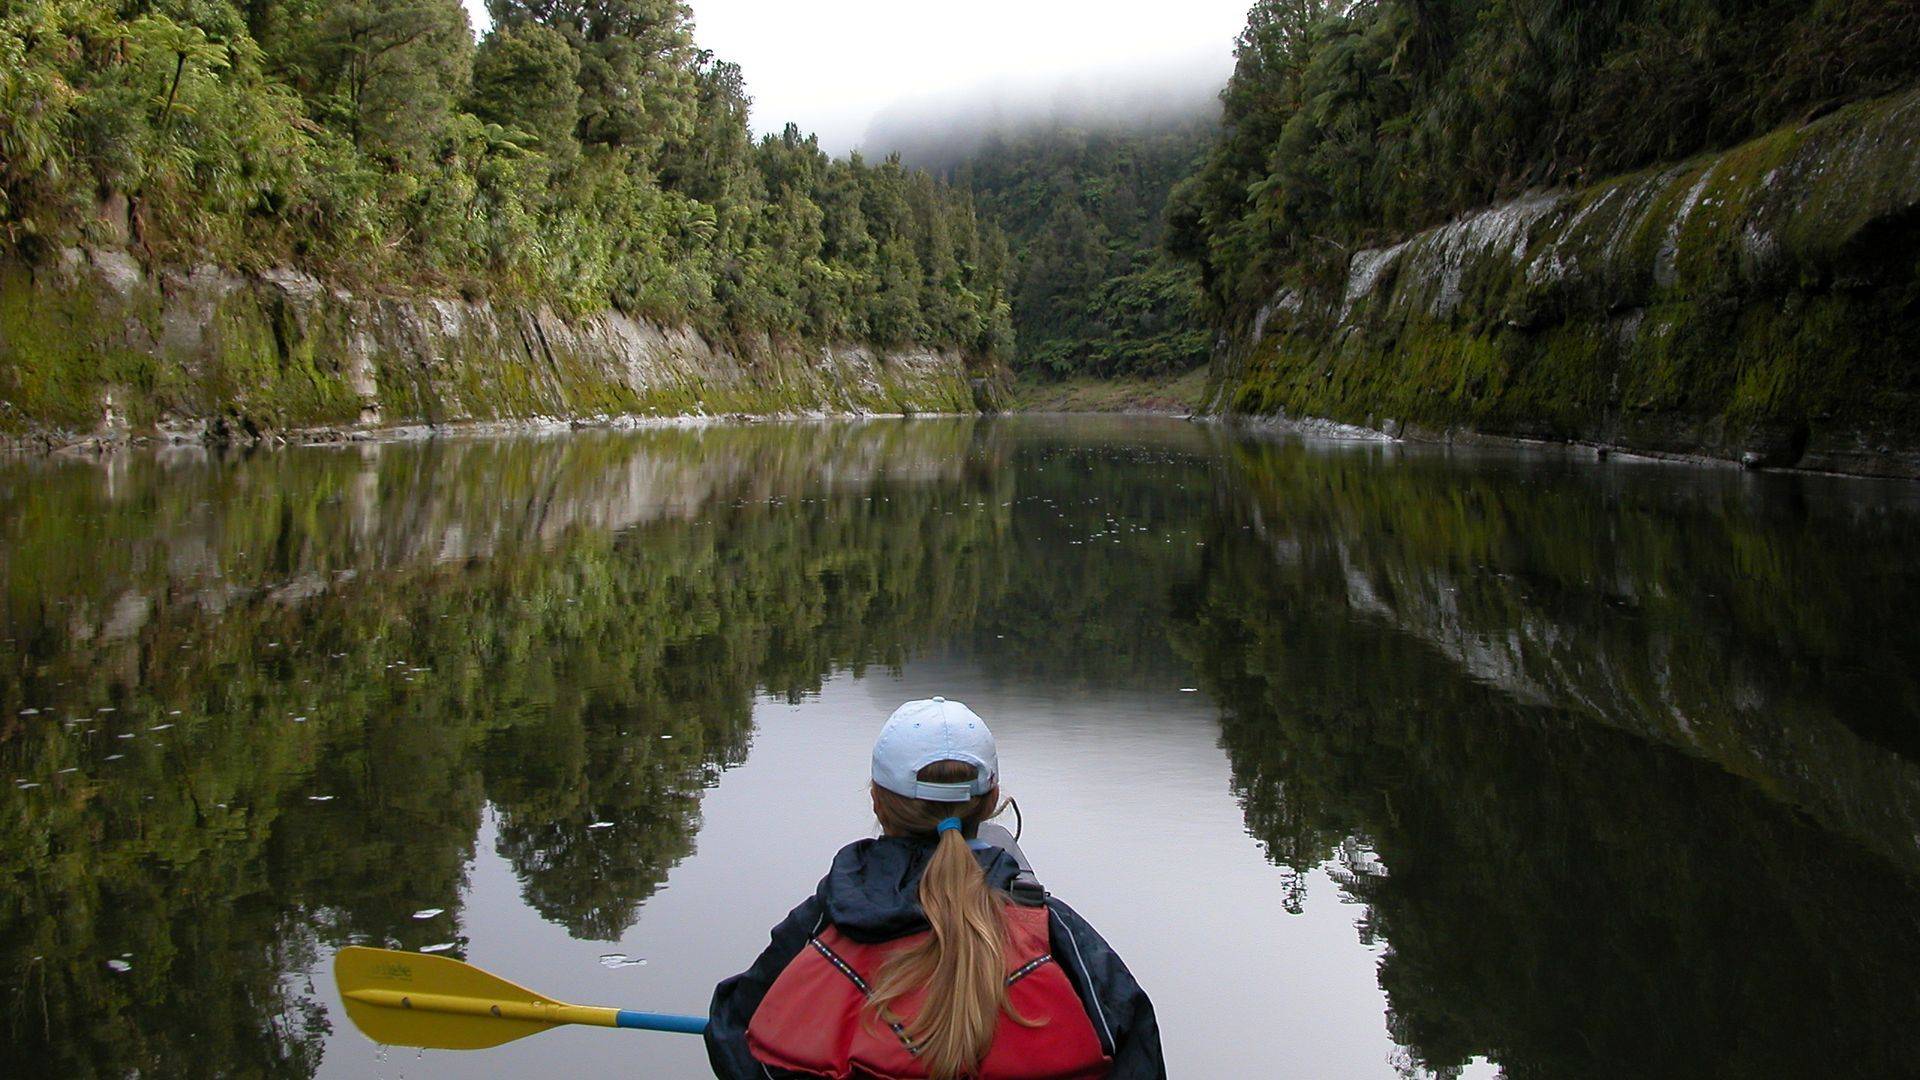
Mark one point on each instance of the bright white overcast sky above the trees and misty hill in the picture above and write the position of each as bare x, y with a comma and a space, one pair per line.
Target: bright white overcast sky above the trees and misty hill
832, 64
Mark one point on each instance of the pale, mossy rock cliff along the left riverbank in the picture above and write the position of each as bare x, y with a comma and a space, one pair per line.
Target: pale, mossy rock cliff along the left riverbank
95, 347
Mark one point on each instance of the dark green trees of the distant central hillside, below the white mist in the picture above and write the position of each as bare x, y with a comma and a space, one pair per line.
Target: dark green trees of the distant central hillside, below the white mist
1093, 287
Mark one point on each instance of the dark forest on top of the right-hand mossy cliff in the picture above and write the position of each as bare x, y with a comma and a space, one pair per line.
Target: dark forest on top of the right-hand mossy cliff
1349, 124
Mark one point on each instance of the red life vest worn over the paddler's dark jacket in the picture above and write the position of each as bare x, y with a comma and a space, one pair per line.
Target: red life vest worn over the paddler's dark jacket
815, 1016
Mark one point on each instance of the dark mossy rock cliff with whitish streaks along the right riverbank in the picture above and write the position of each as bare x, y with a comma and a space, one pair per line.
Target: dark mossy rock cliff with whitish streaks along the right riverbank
1760, 305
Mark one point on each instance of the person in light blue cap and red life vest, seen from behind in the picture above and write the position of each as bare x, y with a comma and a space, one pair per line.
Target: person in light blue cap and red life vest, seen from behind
913, 962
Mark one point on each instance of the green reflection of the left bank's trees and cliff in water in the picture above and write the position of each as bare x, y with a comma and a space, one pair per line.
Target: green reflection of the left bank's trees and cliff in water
264, 702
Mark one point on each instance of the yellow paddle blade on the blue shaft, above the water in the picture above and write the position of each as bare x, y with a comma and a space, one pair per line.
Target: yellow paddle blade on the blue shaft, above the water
439, 1002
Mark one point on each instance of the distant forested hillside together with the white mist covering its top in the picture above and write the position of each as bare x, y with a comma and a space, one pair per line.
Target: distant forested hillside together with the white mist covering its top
1078, 176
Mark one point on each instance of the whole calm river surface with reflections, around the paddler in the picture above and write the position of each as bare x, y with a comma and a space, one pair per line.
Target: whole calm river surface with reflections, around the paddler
1368, 760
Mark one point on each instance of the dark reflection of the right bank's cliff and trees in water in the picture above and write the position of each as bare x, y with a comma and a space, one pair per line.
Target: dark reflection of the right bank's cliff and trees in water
1620, 766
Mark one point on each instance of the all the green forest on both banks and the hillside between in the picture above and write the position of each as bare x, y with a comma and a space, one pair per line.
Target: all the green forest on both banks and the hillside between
590, 157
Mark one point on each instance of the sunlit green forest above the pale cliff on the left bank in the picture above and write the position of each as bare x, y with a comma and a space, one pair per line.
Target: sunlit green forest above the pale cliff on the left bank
585, 155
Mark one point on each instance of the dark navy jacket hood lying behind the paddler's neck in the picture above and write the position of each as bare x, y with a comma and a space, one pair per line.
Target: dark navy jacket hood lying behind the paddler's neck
873, 893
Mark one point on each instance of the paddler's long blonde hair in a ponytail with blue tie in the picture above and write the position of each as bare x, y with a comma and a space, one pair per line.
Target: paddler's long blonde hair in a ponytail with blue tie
963, 964
